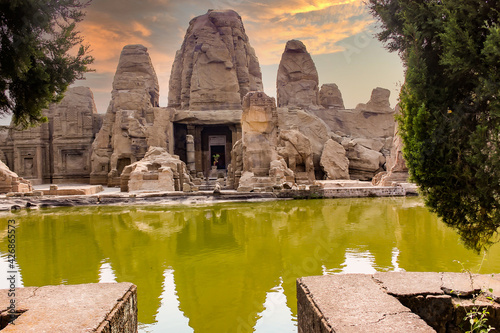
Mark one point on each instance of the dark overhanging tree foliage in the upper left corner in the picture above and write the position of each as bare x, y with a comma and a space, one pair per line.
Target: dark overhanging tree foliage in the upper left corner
41, 54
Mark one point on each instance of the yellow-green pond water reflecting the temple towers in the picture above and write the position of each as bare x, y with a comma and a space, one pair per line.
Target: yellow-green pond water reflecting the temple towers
230, 267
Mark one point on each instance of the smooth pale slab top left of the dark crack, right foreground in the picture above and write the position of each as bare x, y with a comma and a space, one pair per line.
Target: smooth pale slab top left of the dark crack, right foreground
338, 299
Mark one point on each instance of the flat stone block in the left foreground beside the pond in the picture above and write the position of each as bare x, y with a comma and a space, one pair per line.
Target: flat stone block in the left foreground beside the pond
103, 307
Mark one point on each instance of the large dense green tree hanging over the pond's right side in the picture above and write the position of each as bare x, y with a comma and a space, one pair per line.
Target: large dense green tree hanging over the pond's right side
450, 107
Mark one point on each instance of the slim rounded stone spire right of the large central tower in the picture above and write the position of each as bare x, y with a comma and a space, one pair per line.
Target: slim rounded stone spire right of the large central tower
297, 82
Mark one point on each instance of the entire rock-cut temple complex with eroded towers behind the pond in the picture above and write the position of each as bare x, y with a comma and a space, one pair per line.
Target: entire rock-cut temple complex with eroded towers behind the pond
218, 122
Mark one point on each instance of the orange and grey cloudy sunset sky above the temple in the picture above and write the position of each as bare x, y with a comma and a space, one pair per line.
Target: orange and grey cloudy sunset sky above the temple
338, 34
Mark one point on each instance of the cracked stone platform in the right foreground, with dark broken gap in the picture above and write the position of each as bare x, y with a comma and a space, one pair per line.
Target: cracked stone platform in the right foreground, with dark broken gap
395, 302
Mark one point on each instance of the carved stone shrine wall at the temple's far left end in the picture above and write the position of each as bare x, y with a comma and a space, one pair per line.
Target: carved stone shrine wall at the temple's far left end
57, 151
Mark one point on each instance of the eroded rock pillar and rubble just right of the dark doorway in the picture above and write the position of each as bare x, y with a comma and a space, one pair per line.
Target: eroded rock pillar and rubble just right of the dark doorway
269, 156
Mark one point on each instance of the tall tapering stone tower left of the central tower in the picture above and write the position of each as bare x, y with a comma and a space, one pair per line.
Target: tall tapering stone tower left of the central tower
123, 138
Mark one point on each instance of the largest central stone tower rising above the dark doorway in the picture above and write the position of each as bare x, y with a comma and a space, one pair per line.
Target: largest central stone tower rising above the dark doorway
216, 65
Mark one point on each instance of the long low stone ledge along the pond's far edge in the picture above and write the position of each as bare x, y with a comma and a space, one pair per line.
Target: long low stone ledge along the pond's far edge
42, 197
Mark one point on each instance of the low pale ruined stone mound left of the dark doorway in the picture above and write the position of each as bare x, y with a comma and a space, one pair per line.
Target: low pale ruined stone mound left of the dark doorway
158, 170
